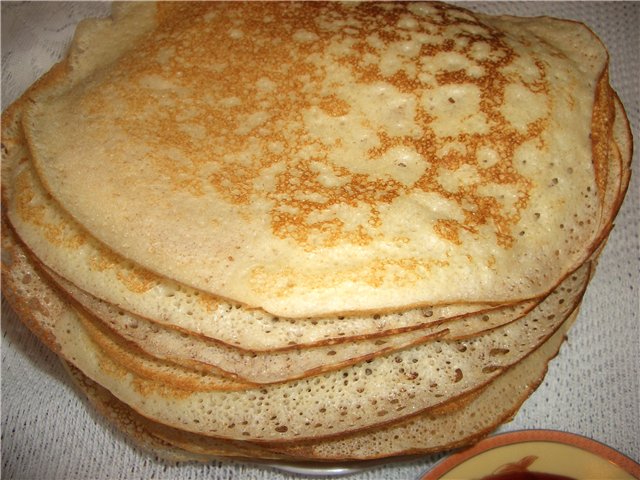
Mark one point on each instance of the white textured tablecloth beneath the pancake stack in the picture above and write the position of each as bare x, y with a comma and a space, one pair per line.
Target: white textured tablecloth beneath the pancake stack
50, 432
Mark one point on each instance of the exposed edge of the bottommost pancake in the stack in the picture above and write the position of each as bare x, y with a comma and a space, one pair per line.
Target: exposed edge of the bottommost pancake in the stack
424, 433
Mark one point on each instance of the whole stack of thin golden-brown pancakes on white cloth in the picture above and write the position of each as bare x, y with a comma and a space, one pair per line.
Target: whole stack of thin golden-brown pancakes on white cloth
310, 231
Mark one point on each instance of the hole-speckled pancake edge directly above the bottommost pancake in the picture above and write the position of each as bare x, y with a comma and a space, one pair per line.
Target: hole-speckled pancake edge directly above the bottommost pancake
383, 390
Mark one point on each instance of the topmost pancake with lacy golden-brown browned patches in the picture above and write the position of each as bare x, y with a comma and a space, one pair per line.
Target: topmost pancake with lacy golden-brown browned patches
311, 158
